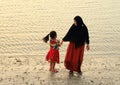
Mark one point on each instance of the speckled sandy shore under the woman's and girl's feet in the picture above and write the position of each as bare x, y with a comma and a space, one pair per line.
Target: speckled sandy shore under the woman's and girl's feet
33, 70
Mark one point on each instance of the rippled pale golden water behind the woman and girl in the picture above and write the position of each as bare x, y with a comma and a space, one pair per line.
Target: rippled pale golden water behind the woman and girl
23, 23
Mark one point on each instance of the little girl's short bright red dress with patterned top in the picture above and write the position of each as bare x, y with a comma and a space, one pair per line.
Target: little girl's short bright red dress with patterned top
53, 54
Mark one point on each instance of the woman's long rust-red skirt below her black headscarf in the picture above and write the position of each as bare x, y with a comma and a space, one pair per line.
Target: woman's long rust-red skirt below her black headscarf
74, 57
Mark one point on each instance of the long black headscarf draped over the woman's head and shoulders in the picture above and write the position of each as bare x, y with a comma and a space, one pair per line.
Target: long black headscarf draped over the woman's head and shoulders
77, 34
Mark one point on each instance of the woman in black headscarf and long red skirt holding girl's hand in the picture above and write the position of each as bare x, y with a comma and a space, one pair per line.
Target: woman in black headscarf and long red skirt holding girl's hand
77, 36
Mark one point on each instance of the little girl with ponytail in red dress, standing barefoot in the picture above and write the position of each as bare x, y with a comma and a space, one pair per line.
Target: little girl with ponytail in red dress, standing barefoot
53, 54
